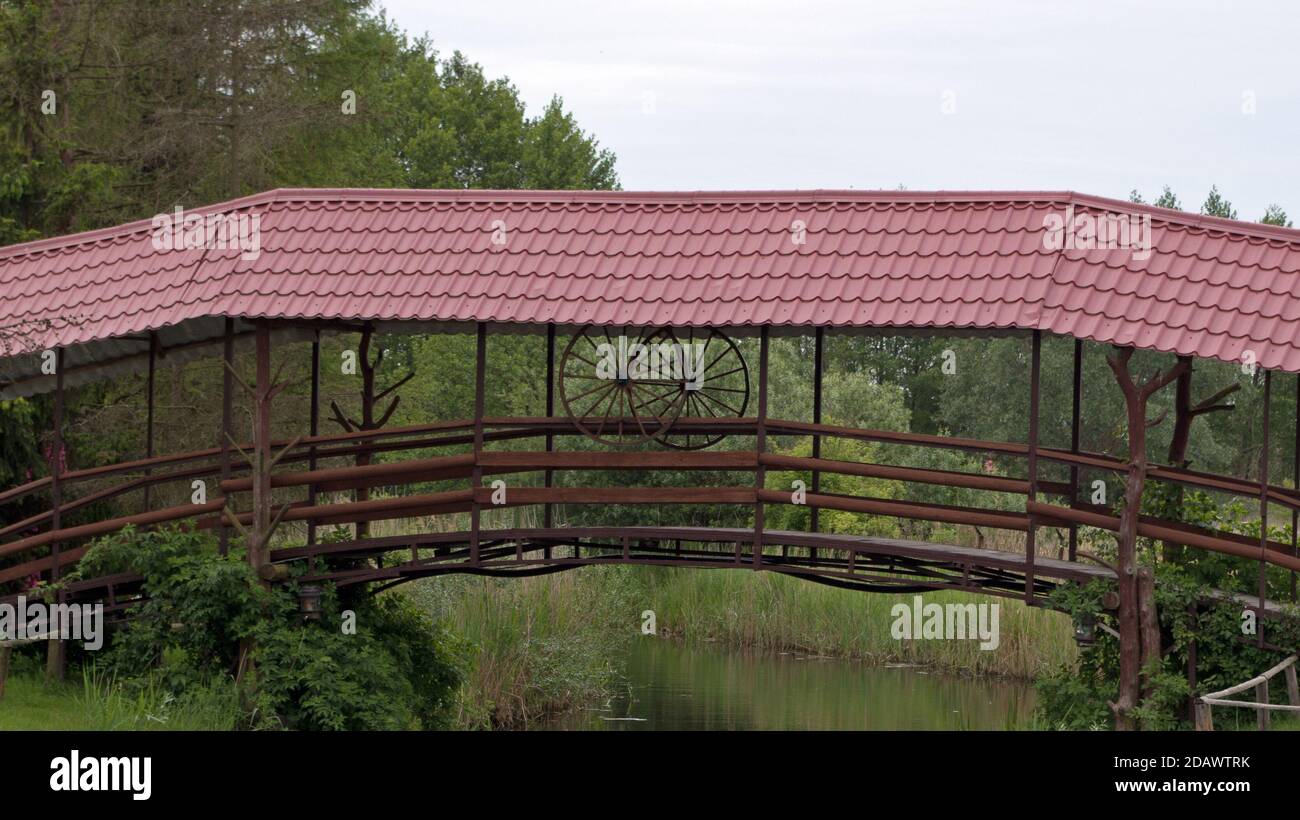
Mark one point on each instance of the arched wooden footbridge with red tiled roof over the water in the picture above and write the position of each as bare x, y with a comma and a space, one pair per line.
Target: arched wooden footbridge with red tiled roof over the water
679, 276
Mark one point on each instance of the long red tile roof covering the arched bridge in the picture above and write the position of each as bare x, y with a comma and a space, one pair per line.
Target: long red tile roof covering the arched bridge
977, 261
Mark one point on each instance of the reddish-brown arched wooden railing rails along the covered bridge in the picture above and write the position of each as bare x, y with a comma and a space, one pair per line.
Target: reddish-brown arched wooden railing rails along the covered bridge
25, 540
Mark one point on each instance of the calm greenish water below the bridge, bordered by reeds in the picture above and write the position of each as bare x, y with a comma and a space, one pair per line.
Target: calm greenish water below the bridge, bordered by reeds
674, 687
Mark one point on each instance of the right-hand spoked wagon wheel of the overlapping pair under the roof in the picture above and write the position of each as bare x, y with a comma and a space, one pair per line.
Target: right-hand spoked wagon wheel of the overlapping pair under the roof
721, 391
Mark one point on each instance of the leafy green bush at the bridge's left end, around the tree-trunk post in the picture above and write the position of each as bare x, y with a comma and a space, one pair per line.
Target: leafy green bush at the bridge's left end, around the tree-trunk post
398, 671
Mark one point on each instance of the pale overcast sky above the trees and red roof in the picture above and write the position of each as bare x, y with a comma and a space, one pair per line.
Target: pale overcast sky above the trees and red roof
1094, 97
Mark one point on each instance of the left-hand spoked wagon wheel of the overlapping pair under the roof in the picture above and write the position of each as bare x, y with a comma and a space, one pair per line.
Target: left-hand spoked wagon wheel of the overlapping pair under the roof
610, 410
